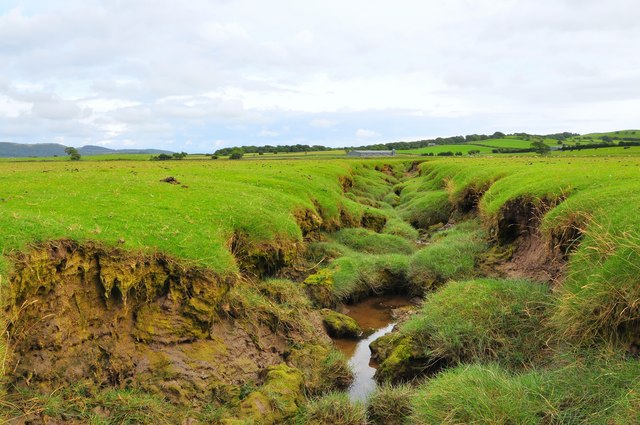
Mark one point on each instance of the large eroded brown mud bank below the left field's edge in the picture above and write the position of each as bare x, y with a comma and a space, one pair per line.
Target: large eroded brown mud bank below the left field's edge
83, 314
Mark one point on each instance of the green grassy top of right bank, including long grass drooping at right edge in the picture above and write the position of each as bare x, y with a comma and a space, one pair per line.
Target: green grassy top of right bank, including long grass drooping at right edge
594, 197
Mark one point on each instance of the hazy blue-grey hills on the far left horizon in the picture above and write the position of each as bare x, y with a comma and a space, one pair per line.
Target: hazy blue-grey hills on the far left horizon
18, 150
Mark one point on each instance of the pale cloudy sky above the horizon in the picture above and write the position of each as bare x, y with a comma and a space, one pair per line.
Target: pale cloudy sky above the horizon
199, 75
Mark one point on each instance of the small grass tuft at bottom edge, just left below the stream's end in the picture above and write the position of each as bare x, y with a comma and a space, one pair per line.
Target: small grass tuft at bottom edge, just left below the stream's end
334, 409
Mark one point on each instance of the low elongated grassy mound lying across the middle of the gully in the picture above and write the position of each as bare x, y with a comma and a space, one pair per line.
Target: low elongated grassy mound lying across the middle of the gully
366, 241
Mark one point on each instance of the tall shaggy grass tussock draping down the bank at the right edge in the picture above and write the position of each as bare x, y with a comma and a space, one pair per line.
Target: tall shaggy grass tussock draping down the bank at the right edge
600, 298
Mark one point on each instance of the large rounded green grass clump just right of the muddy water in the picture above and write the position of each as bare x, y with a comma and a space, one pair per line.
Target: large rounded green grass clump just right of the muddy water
480, 320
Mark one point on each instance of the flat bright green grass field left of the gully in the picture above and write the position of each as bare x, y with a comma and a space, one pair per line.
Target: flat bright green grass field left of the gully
126, 201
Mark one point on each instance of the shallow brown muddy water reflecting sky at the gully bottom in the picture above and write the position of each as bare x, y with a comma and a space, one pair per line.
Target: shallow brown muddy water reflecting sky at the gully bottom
375, 317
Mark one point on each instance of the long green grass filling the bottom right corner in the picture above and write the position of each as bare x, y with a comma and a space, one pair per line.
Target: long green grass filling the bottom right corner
596, 388
